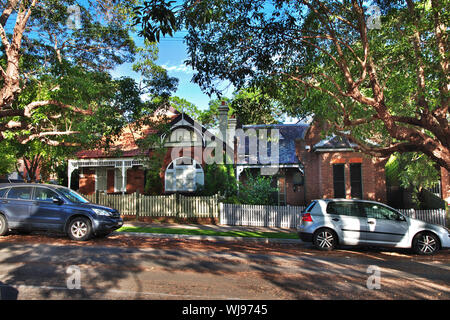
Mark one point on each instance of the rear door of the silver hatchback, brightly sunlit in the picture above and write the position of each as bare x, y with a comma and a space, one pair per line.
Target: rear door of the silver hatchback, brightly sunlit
349, 220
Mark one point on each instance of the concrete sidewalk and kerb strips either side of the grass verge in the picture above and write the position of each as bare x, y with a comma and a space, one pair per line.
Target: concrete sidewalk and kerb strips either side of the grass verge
218, 228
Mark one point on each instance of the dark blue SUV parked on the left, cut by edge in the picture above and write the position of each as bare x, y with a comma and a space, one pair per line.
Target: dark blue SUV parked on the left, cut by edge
28, 207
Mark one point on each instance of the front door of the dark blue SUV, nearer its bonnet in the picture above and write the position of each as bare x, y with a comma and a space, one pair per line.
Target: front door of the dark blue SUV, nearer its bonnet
45, 213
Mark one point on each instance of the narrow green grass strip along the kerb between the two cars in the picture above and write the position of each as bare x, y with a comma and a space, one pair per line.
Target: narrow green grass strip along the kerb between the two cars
201, 232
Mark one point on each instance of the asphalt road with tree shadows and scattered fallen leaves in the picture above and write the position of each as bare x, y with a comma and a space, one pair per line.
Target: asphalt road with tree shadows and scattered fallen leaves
41, 267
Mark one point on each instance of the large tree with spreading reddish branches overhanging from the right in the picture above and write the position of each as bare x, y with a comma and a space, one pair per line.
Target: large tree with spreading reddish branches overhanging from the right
383, 85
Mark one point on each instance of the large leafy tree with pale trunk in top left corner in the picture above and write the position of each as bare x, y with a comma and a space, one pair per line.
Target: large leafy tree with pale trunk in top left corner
54, 55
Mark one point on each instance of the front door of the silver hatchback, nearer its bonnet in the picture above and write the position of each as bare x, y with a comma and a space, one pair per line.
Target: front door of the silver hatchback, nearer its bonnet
385, 225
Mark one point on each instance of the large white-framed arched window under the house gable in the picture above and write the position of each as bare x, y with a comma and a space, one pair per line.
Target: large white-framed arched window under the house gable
183, 174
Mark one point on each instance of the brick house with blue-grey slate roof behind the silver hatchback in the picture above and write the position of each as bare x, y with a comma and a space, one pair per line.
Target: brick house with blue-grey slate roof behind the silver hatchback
311, 167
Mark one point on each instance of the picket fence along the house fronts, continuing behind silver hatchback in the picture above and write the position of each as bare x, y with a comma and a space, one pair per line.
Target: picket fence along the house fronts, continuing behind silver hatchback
228, 214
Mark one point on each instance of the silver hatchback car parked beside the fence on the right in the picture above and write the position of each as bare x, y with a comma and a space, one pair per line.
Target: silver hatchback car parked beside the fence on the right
331, 222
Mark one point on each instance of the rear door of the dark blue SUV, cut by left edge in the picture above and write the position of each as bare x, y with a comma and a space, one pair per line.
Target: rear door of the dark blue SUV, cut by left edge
17, 205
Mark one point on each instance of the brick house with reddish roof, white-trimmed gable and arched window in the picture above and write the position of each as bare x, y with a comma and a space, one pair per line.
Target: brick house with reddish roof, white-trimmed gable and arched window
121, 168
